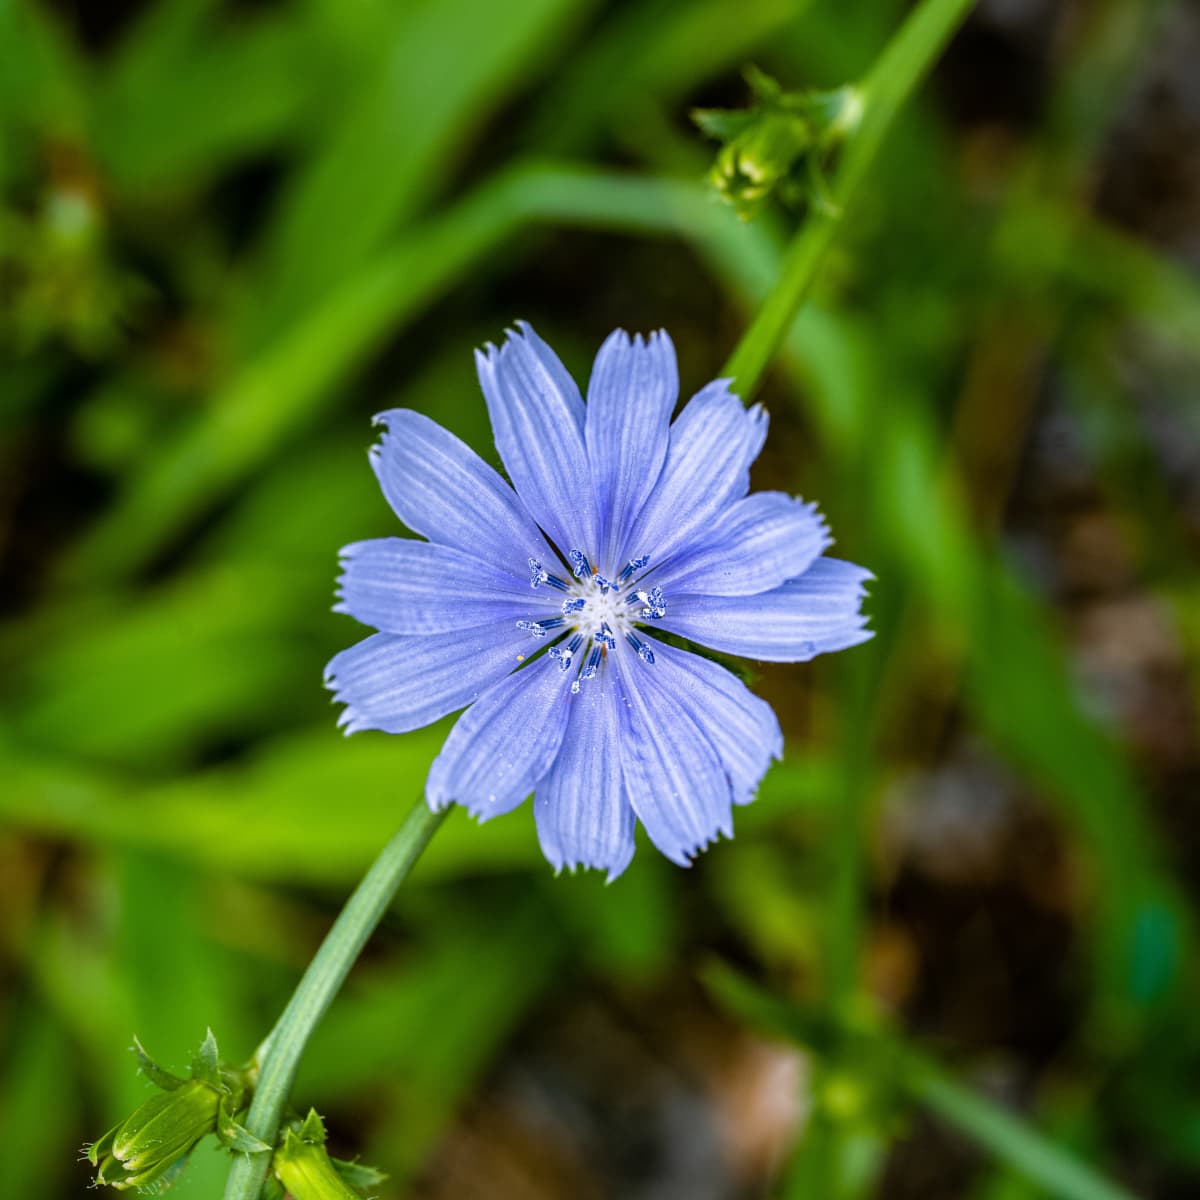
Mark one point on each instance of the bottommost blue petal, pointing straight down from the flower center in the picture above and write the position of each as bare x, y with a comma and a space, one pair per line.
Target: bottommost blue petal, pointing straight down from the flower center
584, 818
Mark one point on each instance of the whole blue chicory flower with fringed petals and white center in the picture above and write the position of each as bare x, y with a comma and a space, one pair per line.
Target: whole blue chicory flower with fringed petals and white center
620, 521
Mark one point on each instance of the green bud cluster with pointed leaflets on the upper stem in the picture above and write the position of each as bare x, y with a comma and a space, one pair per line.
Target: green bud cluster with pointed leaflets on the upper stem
781, 146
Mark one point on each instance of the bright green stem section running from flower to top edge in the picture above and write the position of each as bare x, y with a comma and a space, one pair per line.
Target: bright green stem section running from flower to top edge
904, 63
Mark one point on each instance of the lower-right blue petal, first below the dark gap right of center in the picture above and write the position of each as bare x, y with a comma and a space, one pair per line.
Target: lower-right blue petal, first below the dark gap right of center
742, 728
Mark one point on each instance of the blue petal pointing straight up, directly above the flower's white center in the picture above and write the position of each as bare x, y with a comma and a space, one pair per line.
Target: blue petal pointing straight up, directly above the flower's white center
632, 394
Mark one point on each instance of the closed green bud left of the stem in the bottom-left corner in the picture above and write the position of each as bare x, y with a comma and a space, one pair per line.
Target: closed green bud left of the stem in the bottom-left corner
161, 1133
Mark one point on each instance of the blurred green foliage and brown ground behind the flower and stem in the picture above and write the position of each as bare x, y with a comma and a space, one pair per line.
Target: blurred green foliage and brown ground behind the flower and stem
232, 232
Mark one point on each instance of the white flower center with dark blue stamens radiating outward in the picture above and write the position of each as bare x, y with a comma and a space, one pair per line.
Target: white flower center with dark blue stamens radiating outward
597, 614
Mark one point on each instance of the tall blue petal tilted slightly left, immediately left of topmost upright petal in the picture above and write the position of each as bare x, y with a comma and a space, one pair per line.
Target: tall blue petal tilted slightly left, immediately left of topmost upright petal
538, 422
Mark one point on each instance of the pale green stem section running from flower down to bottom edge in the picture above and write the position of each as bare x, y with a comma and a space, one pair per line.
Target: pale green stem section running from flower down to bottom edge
280, 1055
